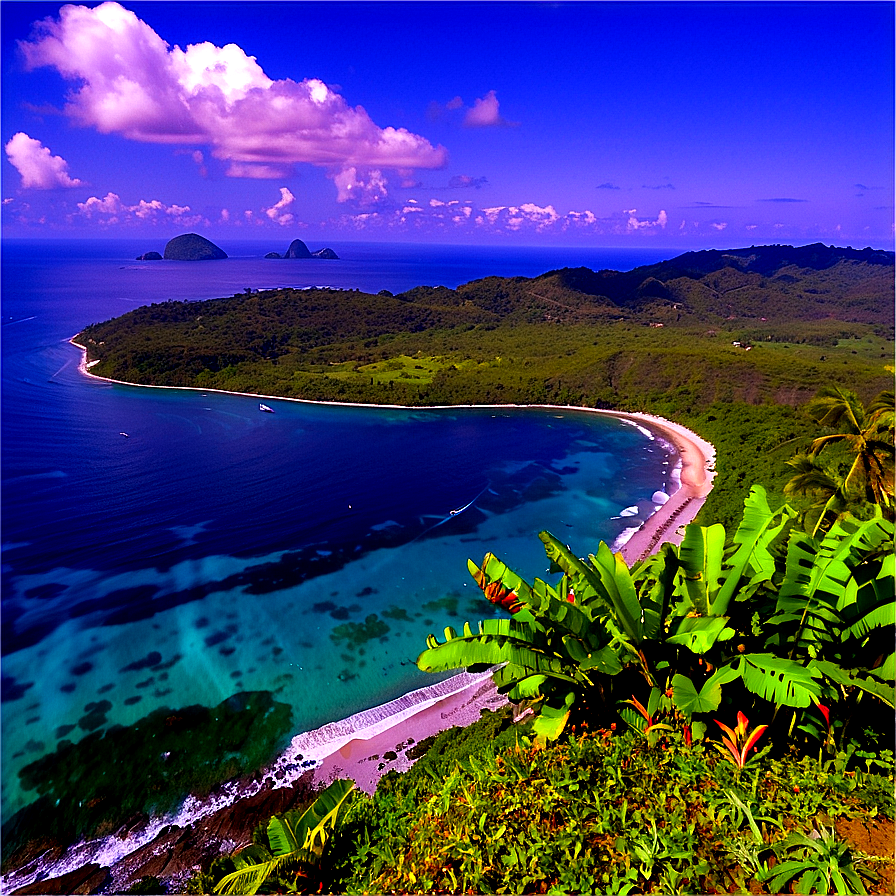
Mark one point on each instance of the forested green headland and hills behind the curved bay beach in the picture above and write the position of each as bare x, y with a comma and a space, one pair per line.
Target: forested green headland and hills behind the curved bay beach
662, 338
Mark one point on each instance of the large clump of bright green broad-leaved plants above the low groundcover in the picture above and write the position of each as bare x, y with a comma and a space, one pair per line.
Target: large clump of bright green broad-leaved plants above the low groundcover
786, 623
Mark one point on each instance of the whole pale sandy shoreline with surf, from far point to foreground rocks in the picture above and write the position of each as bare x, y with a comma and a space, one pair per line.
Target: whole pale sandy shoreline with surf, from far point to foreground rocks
353, 747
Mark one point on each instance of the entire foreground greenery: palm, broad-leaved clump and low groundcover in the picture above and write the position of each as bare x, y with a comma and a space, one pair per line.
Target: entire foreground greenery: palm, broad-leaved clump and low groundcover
640, 770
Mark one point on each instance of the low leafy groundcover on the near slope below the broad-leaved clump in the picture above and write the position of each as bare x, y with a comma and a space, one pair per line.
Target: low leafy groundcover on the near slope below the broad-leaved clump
602, 811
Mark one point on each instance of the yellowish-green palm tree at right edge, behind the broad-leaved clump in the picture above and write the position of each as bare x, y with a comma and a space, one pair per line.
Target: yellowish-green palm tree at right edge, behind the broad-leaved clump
867, 436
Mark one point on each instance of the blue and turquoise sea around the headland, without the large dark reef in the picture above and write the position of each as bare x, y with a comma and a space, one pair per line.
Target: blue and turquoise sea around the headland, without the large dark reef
216, 549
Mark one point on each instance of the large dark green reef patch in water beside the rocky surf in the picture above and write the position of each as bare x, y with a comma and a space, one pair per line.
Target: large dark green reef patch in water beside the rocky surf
110, 778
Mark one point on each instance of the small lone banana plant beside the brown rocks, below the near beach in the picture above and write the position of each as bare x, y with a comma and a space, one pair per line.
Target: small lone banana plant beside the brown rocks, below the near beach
296, 845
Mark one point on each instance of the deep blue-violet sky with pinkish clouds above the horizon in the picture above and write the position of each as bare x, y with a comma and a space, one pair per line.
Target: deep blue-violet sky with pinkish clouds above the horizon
683, 125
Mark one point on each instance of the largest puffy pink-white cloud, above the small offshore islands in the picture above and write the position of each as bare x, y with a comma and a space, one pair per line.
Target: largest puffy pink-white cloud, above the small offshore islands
132, 83
